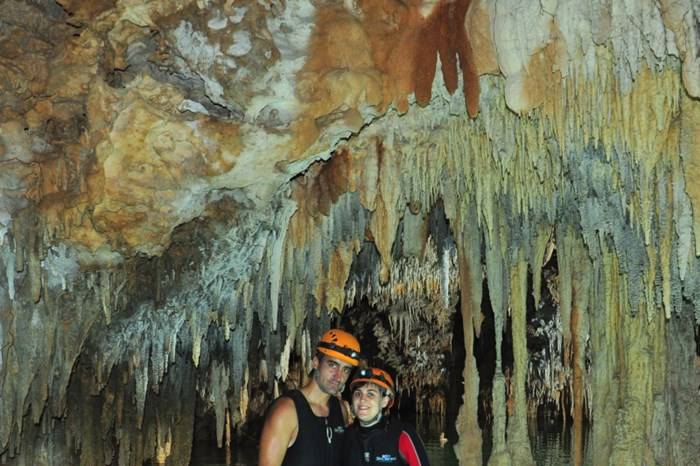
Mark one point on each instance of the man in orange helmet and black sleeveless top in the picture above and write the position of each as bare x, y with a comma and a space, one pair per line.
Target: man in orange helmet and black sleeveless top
305, 427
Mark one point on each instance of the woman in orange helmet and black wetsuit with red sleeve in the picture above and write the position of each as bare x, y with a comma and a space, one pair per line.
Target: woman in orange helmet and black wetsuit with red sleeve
375, 439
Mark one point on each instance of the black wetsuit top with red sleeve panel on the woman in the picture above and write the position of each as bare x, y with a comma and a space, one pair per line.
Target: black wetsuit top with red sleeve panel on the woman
389, 442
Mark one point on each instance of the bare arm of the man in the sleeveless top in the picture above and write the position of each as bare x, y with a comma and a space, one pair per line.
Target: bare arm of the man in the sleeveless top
279, 432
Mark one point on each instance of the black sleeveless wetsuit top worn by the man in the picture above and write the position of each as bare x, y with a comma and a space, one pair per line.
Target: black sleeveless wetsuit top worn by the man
319, 439
